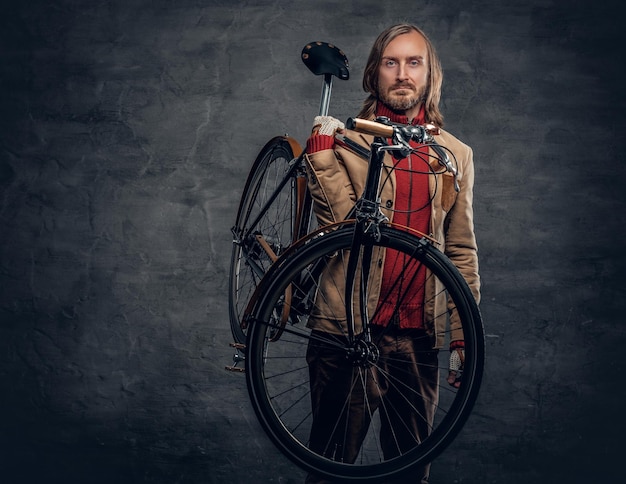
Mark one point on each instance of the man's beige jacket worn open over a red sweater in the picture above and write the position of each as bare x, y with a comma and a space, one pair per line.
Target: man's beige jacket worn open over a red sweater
336, 180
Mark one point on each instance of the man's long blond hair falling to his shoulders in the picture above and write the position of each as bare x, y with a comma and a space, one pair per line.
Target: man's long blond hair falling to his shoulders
435, 74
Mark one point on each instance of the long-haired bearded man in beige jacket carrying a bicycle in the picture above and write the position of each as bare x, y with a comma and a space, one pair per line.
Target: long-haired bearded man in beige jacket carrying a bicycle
403, 78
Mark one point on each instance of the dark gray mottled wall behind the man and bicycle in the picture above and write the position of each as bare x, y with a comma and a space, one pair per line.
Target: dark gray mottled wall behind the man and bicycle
127, 130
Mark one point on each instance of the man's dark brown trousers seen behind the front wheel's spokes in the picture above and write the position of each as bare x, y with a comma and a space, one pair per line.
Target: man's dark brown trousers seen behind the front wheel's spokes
402, 387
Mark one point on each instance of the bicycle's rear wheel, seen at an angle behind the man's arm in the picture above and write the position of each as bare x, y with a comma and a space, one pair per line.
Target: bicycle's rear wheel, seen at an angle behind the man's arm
265, 223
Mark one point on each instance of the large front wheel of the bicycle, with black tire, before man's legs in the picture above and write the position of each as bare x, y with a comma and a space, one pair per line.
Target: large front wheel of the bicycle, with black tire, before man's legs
365, 417
